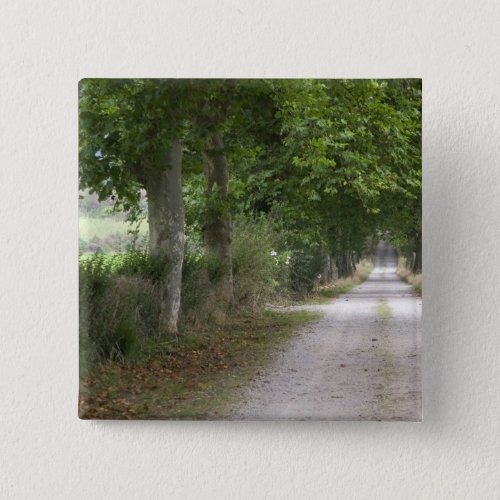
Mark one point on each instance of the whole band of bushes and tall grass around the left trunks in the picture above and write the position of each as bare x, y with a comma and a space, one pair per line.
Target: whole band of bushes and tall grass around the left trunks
120, 293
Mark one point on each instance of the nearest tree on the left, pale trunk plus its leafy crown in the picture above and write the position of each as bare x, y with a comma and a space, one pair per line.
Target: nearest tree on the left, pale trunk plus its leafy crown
130, 139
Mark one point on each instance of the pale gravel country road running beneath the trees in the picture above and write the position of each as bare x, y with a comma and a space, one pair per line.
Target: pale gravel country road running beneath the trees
361, 361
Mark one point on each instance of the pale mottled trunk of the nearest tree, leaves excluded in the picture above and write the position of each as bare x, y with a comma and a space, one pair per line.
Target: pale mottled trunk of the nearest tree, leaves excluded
166, 233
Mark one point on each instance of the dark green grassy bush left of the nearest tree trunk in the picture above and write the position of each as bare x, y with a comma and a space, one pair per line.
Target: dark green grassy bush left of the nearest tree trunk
119, 303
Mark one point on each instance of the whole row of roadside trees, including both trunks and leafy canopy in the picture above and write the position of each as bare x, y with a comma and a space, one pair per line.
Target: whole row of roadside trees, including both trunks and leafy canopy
331, 161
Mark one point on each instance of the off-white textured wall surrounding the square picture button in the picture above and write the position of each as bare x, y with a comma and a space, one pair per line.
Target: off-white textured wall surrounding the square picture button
46, 47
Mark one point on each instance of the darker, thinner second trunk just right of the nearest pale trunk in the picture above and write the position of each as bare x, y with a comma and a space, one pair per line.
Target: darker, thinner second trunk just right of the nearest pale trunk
217, 231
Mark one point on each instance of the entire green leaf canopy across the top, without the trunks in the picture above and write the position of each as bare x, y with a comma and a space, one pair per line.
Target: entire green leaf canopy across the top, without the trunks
330, 154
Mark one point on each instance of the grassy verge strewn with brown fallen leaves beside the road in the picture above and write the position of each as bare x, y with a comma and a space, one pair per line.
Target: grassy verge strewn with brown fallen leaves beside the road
196, 376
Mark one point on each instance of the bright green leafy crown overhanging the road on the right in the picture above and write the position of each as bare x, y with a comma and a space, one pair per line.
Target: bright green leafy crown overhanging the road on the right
336, 159
